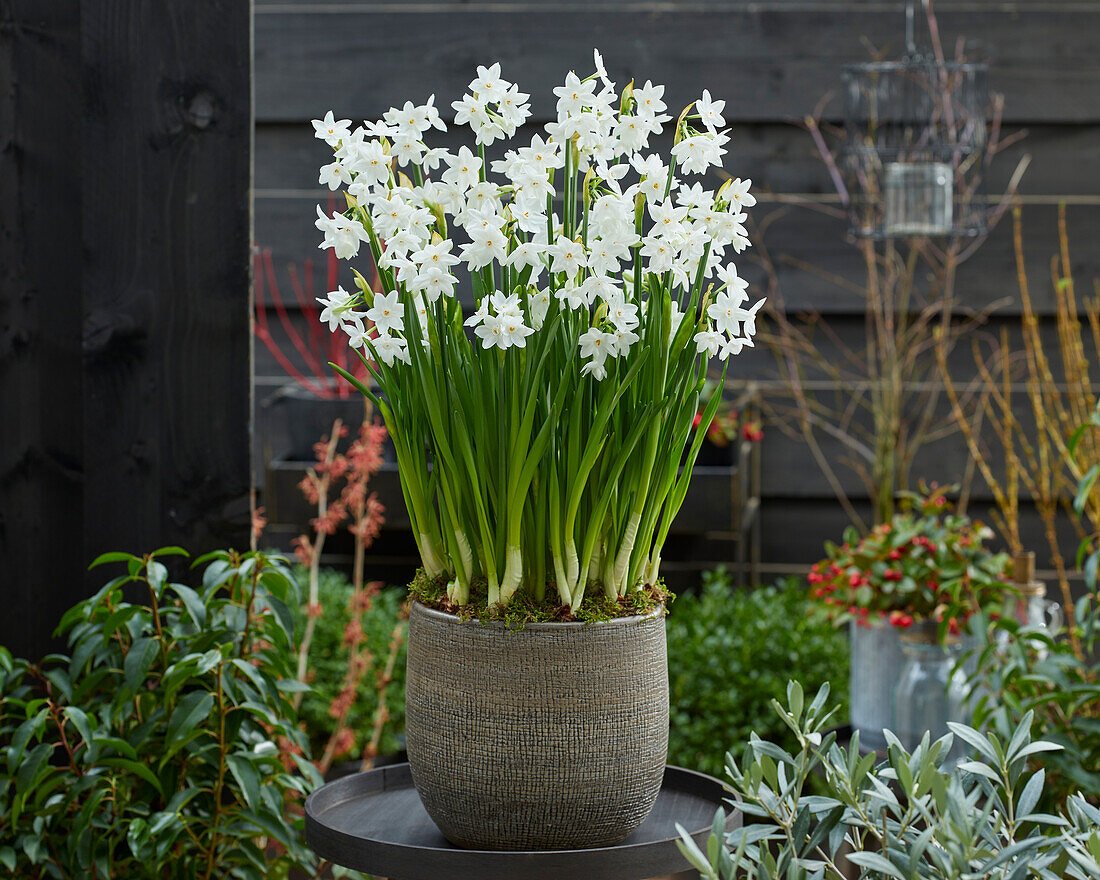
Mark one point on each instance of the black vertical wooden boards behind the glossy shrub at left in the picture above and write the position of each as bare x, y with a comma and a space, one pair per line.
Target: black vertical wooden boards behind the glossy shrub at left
125, 240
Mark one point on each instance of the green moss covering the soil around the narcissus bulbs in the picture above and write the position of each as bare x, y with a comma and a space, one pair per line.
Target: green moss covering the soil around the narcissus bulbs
525, 610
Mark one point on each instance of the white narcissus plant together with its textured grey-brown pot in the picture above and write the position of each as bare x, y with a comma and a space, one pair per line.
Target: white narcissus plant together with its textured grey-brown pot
540, 438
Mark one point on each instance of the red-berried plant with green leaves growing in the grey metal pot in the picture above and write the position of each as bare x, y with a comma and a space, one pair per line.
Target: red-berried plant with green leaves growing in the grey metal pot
926, 565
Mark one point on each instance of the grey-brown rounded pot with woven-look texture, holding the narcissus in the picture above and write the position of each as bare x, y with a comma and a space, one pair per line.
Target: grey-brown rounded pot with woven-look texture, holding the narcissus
551, 738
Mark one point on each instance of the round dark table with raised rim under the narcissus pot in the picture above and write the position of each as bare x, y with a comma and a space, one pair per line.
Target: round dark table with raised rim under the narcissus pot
375, 822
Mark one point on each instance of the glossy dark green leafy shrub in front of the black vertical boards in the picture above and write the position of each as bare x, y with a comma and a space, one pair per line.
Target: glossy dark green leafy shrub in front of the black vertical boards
136, 763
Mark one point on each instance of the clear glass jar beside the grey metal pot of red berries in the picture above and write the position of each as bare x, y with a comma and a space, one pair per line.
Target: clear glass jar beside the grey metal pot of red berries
931, 691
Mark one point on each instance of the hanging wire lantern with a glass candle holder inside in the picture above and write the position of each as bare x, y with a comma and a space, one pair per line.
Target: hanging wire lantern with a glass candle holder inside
916, 145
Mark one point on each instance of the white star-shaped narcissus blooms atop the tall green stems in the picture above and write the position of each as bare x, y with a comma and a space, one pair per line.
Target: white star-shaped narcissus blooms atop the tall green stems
633, 216
